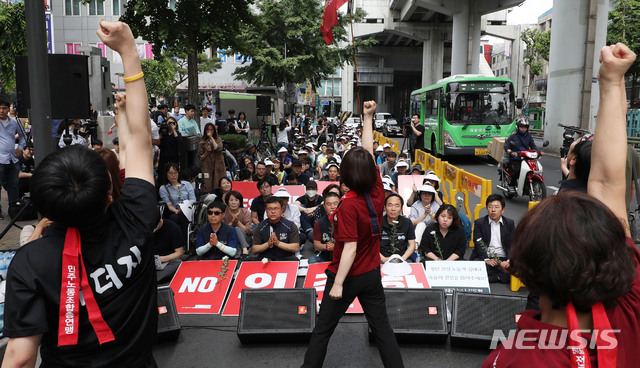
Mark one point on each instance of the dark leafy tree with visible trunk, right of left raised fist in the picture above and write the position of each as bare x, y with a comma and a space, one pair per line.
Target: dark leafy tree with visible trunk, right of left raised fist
188, 28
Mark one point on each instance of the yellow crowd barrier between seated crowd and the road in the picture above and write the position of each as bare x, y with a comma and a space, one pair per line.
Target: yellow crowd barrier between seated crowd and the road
455, 181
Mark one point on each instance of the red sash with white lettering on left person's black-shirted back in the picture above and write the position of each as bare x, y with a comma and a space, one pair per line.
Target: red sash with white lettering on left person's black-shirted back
72, 283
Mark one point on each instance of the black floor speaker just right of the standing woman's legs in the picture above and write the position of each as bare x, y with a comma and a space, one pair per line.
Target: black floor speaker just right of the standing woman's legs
417, 315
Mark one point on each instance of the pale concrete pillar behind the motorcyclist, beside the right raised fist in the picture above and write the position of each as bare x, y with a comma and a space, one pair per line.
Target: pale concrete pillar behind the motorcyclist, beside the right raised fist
566, 67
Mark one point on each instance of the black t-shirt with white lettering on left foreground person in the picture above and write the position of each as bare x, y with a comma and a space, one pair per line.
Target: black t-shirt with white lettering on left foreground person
118, 257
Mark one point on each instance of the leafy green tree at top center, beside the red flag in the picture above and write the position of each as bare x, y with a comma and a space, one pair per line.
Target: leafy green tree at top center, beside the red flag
286, 44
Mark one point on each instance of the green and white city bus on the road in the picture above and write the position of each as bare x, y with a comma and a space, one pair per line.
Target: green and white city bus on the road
462, 113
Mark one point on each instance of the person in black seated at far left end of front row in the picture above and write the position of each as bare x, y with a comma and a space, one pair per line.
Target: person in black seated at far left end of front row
168, 249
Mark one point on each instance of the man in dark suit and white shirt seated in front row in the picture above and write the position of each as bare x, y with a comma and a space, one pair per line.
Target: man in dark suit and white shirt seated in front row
496, 232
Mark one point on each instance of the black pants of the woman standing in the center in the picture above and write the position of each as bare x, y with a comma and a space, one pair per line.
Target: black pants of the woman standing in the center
368, 288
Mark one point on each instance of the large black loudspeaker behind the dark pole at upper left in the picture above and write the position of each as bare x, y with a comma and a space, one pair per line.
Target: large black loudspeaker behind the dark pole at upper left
68, 86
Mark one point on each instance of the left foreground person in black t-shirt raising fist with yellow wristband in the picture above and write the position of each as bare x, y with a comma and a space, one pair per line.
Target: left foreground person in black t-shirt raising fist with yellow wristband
101, 246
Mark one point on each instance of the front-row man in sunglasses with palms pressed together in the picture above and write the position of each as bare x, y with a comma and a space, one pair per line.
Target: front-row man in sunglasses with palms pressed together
218, 239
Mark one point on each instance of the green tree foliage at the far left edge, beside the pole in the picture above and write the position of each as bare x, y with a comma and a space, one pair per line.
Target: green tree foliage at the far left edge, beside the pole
13, 42
